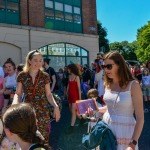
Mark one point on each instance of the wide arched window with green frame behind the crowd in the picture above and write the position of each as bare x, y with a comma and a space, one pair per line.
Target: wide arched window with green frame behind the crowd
62, 54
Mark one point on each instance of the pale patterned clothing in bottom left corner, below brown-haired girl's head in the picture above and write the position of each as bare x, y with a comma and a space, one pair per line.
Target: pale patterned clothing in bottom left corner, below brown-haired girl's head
8, 145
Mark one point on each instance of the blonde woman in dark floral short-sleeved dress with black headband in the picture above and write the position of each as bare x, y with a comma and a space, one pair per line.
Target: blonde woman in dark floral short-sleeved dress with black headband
35, 84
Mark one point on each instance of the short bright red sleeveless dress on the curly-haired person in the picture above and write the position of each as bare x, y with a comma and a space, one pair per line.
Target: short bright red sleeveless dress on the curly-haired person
73, 93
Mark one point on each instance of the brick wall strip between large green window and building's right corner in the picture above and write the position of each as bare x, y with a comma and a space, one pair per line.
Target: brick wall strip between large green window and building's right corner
89, 17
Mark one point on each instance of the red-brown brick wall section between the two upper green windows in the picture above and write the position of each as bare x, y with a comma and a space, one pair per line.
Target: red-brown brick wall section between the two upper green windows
36, 12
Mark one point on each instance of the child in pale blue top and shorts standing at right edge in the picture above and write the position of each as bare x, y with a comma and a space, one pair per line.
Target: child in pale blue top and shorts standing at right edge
146, 88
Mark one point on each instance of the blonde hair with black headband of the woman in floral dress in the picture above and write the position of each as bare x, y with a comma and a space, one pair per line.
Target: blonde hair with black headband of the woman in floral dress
30, 55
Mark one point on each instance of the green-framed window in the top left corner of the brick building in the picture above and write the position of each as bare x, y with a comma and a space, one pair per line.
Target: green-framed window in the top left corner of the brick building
9, 11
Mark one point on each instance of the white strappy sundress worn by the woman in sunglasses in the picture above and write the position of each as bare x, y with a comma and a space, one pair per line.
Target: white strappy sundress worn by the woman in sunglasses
120, 116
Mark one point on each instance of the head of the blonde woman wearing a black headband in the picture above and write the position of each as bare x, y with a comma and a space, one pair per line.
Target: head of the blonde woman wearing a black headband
34, 60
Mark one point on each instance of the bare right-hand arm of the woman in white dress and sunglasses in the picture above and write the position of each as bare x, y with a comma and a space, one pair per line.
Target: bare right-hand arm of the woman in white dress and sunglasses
138, 107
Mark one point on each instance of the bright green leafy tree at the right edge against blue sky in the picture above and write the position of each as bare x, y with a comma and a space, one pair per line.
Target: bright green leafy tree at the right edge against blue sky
143, 42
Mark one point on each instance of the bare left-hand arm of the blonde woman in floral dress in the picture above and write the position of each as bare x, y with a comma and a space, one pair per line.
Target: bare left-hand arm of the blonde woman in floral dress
18, 93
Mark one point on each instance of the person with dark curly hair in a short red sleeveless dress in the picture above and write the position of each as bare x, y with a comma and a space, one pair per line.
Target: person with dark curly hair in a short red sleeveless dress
74, 93
